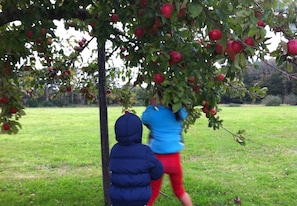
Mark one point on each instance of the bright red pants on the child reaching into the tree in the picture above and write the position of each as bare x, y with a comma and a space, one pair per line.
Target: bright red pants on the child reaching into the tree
172, 167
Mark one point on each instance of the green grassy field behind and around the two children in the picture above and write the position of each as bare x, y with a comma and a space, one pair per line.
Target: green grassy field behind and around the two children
55, 159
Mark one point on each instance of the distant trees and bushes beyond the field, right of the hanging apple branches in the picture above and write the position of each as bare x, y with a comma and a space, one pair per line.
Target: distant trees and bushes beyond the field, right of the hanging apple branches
280, 86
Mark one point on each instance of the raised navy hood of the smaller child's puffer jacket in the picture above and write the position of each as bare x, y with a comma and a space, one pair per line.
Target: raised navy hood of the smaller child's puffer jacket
128, 129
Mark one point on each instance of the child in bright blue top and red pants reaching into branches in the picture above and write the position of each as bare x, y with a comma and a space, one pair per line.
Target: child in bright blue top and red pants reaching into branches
166, 142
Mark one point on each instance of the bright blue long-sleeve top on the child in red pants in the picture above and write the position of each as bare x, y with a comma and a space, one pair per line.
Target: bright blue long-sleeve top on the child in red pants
166, 131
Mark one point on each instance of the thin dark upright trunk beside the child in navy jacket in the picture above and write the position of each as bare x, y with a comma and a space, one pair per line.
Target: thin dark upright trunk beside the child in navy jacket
103, 122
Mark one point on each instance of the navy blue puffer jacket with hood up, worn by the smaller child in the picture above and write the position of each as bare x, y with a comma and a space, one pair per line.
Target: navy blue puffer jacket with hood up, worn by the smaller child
132, 164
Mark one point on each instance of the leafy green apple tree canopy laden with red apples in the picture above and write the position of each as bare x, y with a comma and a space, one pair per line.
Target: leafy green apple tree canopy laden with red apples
194, 51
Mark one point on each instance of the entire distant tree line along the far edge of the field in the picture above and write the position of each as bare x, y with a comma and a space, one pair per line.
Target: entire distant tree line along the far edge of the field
265, 74
